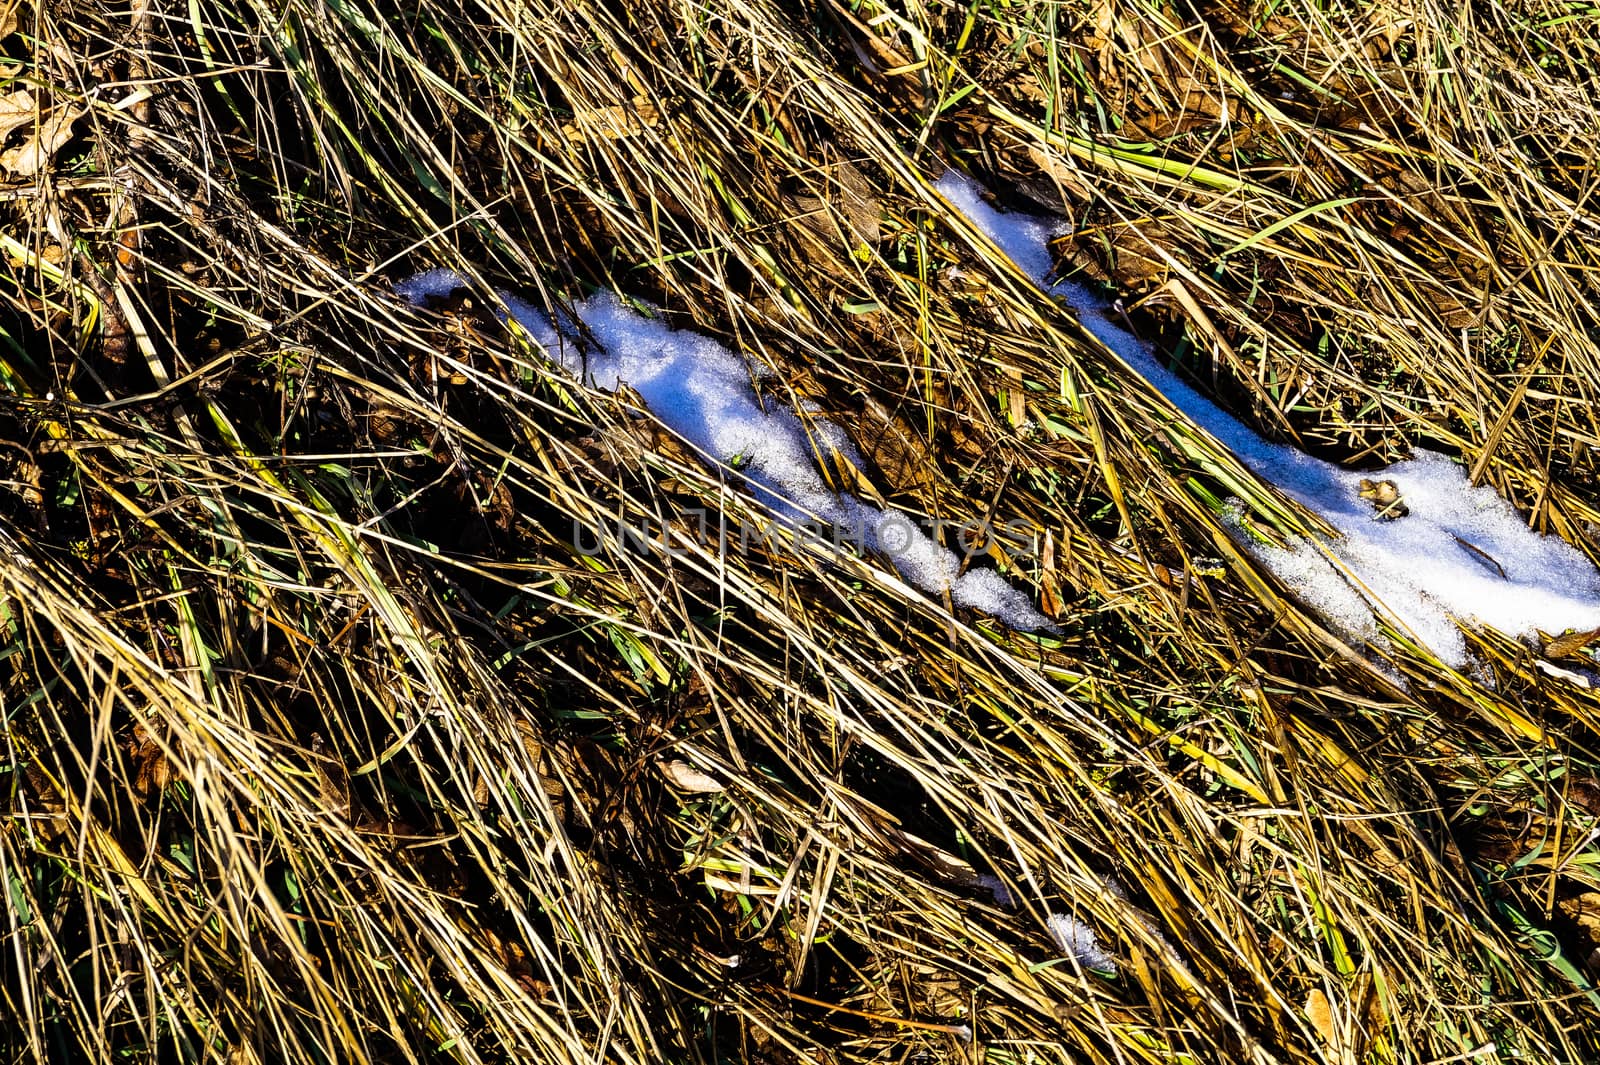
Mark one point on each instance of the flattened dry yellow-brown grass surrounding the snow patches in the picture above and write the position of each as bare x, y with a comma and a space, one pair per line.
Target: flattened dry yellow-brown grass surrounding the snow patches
326, 744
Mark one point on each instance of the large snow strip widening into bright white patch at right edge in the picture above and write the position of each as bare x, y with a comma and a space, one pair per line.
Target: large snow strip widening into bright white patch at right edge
1460, 556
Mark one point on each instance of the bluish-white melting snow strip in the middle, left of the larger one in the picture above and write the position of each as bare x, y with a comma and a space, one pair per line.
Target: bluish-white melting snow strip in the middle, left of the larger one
702, 391
